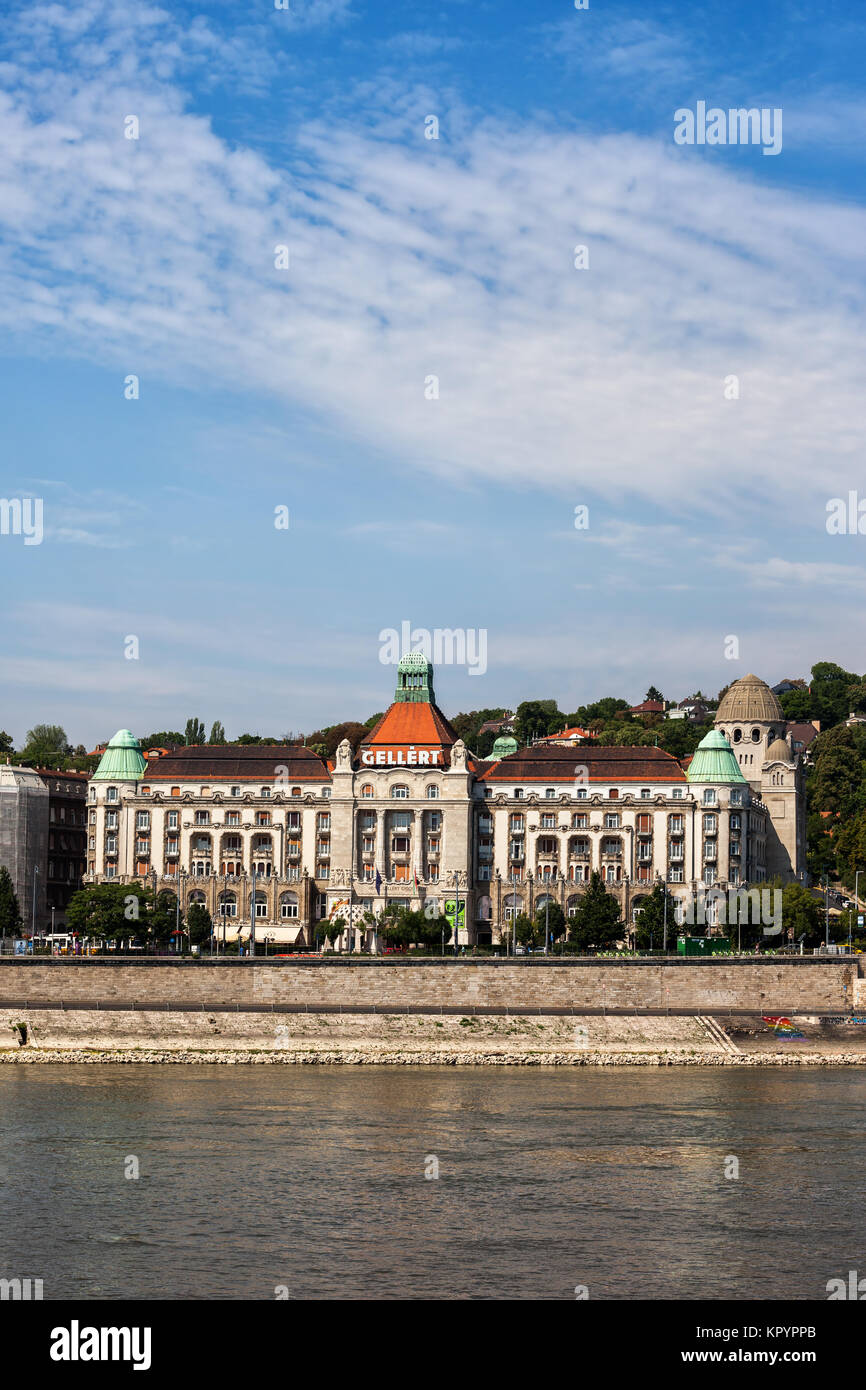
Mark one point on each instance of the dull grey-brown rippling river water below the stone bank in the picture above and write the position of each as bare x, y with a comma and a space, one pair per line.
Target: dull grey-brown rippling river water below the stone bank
261, 1182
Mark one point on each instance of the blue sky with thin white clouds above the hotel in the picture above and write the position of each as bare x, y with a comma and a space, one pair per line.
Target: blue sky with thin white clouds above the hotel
414, 258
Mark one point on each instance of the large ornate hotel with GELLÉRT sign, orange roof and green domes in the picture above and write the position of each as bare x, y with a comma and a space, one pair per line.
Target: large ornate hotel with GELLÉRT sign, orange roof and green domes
281, 837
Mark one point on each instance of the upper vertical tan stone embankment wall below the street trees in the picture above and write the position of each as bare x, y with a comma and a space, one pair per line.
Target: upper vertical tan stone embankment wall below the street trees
767, 986
